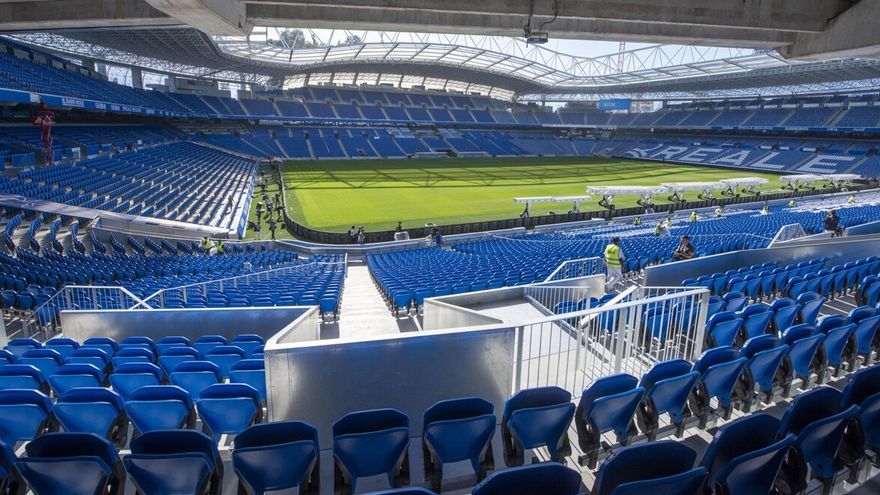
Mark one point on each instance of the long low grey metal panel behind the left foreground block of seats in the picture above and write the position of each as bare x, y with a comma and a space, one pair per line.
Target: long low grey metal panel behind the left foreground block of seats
188, 322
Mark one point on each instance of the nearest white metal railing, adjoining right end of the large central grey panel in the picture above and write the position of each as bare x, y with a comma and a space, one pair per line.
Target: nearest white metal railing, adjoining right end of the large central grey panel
642, 327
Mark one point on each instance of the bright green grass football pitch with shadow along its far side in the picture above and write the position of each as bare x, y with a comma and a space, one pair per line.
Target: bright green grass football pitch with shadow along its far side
334, 195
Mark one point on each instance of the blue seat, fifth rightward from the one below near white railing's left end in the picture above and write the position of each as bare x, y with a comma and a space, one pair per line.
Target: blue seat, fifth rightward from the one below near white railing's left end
767, 368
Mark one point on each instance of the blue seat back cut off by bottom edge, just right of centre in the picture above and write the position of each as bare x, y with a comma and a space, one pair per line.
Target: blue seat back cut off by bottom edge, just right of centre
550, 478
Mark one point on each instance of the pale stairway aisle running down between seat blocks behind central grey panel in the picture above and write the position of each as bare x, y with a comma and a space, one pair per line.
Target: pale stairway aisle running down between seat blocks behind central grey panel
364, 313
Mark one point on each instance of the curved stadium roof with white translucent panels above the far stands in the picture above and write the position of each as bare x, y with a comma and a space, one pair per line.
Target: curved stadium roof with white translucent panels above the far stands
492, 64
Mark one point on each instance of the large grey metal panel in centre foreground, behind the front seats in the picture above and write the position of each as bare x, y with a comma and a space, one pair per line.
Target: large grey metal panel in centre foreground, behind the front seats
322, 381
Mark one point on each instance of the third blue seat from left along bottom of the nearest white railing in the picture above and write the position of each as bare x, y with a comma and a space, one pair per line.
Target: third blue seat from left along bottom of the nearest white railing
667, 386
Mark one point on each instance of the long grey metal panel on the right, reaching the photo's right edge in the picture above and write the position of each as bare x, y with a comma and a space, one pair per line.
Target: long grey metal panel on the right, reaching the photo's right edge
841, 249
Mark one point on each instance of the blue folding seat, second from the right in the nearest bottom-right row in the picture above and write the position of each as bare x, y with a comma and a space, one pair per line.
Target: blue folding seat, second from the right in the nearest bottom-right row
820, 424
